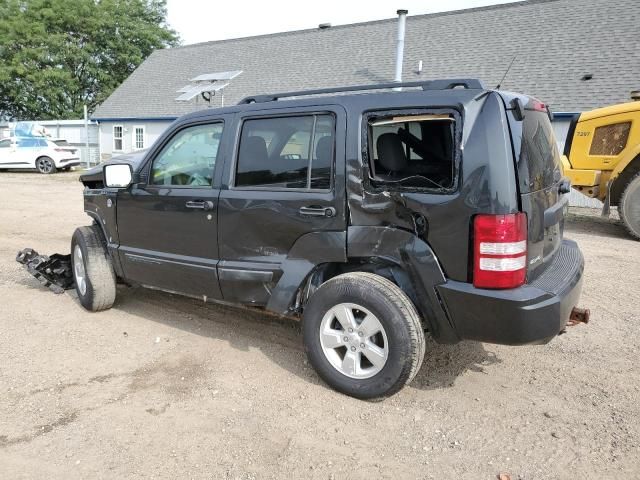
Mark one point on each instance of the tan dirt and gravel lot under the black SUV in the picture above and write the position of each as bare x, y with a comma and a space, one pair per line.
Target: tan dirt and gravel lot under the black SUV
167, 387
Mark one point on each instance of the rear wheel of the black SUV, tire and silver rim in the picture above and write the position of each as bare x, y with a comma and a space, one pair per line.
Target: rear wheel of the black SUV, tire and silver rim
363, 335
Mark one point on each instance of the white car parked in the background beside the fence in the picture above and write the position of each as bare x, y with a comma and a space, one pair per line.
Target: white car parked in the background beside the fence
36, 152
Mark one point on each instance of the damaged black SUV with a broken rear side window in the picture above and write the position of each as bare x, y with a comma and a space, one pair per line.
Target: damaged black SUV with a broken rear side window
375, 215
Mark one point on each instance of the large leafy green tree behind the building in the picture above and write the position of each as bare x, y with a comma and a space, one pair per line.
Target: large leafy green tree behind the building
58, 55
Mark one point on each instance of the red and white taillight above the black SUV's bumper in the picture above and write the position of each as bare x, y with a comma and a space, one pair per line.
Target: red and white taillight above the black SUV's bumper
499, 250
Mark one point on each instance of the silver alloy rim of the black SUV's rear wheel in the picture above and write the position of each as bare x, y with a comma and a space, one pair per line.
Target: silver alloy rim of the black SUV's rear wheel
354, 341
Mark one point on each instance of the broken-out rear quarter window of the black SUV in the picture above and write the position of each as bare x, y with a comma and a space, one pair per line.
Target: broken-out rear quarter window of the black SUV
415, 151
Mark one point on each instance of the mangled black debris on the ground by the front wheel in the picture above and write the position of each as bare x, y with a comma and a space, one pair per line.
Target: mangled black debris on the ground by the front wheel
52, 271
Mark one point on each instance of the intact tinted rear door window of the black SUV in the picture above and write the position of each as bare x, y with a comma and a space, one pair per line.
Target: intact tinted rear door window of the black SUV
294, 152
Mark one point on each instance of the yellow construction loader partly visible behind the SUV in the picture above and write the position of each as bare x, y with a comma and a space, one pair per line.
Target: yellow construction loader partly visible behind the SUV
602, 159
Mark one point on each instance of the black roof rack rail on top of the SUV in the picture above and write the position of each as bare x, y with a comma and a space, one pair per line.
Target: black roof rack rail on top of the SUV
443, 84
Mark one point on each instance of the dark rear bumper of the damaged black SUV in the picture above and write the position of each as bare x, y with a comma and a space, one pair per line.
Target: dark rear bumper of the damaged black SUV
531, 314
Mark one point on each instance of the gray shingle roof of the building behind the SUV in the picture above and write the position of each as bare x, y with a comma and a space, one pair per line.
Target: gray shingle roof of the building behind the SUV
556, 43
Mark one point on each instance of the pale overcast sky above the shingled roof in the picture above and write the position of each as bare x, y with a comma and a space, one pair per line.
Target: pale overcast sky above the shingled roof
204, 20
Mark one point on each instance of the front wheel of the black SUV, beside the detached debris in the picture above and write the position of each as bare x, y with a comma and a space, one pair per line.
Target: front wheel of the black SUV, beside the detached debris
93, 272
